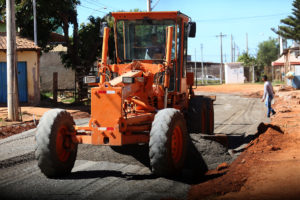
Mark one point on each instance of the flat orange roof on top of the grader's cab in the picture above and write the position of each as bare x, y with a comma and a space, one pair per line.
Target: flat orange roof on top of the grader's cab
175, 15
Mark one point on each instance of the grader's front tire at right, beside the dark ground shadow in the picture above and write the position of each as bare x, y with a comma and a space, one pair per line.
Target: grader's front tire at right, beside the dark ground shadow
168, 142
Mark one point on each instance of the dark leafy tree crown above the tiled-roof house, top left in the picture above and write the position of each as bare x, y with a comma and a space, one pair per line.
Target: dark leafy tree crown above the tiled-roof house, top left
50, 16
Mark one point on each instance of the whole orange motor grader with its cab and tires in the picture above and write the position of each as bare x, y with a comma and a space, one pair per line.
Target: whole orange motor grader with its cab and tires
145, 97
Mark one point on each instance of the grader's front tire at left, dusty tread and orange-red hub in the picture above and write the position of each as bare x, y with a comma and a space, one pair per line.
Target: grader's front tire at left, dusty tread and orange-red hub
55, 151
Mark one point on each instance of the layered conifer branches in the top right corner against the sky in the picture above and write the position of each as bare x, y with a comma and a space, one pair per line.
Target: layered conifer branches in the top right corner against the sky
291, 27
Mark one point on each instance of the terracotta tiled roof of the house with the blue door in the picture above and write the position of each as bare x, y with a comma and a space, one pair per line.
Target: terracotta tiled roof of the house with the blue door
23, 44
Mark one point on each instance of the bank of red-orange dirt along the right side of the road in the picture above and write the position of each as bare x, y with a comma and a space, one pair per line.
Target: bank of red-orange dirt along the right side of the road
270, 166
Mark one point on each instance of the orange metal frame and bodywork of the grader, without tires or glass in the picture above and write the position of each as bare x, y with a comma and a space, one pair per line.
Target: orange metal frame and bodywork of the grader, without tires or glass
109, 97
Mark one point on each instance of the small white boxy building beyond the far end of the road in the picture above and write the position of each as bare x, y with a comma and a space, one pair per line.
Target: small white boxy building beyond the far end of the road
234, 73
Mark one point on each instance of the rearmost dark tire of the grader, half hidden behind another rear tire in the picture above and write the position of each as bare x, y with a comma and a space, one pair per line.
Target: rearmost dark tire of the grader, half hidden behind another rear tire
209, 116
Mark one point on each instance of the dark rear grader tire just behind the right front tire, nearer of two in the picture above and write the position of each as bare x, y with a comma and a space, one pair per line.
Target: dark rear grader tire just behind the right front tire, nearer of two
196, 115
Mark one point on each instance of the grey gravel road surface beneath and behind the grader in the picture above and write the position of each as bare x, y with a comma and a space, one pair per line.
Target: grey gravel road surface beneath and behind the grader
112, 173
